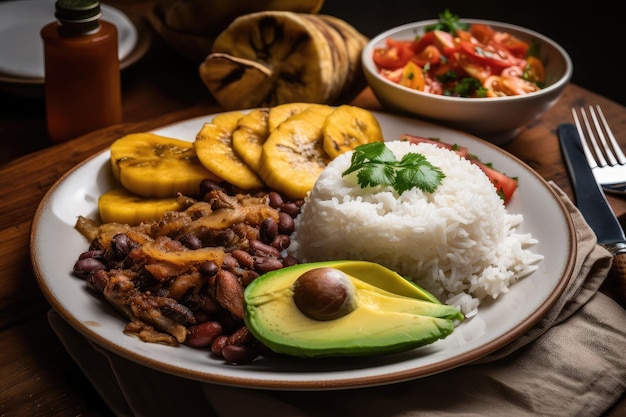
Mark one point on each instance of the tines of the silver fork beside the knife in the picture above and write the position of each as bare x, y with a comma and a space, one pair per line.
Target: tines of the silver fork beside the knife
601, 147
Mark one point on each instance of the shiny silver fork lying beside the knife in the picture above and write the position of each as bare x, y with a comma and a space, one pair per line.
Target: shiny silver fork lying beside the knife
604, 155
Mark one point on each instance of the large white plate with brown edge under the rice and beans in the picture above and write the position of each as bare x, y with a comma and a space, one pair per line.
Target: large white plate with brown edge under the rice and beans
55, 246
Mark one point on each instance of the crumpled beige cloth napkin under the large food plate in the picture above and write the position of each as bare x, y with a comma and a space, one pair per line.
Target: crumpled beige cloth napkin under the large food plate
571, 363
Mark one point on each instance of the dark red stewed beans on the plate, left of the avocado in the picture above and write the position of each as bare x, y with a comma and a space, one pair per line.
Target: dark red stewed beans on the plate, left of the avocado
210, 292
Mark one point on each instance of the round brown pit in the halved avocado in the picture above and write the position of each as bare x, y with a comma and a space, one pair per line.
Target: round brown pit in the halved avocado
324, 294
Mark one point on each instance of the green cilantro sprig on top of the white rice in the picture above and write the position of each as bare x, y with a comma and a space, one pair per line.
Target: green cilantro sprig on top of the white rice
375, 164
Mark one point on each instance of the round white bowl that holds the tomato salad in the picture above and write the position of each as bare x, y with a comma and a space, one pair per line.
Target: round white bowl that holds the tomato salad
496, 119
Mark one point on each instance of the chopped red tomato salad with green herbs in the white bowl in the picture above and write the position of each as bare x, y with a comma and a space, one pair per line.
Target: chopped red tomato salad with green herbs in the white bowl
462, 60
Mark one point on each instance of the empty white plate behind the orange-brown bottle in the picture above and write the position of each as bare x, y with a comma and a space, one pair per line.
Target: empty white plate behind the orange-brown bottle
21, 50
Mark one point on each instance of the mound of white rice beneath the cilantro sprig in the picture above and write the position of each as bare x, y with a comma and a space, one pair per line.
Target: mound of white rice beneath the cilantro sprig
459, 243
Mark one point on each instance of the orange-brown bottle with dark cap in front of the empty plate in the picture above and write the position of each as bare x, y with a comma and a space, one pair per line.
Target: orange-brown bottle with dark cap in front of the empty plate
82, 73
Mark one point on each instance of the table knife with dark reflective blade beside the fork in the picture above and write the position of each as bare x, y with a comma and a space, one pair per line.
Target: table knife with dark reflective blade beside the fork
592, 202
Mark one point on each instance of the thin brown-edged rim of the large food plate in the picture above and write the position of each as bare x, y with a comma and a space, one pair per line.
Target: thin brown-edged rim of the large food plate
313, 384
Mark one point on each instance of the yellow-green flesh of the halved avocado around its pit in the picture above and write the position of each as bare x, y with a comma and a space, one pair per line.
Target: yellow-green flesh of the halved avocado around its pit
392, 314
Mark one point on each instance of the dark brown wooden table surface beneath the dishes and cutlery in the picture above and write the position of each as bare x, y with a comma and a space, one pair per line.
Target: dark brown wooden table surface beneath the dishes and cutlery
38, 376
